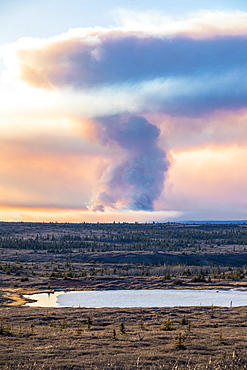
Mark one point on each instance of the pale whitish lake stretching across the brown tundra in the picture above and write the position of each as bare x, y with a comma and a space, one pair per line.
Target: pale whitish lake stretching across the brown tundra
141, 298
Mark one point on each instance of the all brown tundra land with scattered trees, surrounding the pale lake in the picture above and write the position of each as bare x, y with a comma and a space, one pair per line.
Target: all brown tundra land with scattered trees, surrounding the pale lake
37, 257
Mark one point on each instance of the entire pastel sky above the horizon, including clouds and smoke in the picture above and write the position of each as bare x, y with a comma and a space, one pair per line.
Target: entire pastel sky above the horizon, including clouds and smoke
114, 111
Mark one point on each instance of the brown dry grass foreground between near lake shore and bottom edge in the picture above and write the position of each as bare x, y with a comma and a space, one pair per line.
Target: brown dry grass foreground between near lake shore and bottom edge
73, 338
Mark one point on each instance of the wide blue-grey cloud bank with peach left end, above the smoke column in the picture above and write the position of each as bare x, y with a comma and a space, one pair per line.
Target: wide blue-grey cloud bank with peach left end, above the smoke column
174, 72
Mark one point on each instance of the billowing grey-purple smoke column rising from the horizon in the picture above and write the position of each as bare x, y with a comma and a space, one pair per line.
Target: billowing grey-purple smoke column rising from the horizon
136, 178
